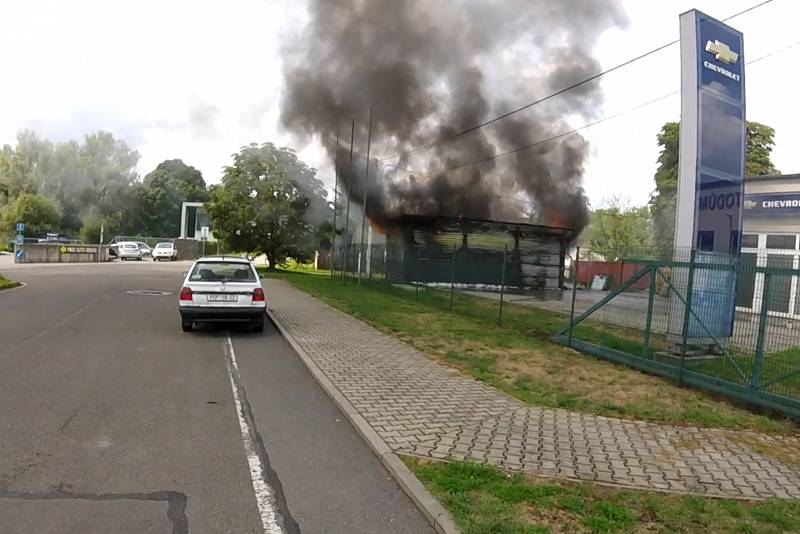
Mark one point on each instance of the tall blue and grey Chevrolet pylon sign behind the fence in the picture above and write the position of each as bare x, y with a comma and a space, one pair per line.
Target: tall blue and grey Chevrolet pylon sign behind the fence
711, 175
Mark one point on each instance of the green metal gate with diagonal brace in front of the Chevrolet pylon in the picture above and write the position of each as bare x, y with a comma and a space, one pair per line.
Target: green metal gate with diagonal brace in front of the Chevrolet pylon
674, 307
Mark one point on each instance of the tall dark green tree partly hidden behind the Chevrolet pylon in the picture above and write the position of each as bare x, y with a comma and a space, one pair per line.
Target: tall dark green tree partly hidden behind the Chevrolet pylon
759, 144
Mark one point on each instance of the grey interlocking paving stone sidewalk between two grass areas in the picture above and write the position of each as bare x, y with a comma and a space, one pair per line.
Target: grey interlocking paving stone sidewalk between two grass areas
422, 408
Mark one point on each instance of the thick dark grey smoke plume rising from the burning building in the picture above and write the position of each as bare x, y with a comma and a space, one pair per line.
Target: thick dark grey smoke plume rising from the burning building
432, 68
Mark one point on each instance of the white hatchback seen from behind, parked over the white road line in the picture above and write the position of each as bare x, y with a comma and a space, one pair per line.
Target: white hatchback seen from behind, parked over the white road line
222, 289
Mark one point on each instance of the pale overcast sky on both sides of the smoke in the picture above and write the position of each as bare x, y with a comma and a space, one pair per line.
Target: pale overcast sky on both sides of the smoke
198, 79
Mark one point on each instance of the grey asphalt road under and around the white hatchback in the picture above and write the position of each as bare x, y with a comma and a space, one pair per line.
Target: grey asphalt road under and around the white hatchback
113, 420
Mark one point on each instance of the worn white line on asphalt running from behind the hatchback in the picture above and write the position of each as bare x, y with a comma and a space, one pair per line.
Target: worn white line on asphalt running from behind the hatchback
265, 496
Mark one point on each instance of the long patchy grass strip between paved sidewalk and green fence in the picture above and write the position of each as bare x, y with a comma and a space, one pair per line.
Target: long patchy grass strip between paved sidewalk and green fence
520, 358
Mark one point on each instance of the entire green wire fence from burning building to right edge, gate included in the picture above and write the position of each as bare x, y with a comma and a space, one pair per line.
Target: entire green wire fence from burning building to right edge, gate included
727, 325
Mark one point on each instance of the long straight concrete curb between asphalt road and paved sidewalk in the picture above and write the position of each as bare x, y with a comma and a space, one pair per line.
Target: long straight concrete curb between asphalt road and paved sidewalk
436, 515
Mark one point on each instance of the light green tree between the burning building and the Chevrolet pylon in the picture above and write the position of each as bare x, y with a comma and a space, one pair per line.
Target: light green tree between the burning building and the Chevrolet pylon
618, 229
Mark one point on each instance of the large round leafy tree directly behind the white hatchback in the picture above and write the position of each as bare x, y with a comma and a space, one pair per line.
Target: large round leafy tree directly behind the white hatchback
262, 203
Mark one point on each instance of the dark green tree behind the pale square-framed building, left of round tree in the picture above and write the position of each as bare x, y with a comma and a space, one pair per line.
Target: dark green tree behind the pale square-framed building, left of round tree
162, 194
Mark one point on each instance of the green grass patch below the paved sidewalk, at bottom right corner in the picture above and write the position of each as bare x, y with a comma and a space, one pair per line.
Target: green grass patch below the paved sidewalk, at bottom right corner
486, 500
